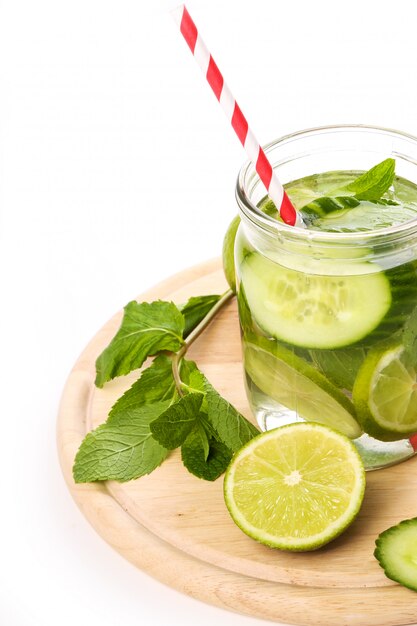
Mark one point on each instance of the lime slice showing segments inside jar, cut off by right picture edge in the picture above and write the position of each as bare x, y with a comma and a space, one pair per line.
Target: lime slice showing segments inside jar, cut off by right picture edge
385, 394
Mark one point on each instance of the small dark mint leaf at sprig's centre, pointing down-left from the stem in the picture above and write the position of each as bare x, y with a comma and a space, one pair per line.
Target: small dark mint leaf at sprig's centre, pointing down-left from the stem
172, 427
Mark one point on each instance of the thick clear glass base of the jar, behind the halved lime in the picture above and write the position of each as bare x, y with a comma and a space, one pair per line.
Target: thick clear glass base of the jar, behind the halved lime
375, 454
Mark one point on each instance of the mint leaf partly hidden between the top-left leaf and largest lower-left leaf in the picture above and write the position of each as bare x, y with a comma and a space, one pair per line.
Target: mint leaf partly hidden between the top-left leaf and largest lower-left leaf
155, 384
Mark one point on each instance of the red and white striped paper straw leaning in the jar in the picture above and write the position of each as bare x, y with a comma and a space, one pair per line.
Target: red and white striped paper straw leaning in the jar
233, 113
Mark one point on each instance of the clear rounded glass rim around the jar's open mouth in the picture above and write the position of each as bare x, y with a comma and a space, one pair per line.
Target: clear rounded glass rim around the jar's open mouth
270, 224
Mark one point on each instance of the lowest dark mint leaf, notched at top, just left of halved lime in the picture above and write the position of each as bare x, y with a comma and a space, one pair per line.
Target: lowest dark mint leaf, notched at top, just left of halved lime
194, 459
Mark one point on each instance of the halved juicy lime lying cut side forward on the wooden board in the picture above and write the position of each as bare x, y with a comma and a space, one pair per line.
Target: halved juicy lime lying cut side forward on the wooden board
296, 487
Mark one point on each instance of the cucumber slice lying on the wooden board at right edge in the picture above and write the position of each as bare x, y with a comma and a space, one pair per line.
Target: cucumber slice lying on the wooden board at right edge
396, 552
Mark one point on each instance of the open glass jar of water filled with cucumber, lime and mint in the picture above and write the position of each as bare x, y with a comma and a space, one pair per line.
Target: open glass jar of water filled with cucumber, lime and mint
329, 313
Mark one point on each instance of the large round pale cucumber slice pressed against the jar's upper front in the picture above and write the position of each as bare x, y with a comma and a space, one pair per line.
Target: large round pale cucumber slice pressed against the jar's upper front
311, 310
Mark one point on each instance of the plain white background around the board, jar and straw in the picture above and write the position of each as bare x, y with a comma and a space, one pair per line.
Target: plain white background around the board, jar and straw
117, 170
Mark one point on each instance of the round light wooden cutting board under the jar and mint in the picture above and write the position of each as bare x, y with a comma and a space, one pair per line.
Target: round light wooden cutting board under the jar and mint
177, 528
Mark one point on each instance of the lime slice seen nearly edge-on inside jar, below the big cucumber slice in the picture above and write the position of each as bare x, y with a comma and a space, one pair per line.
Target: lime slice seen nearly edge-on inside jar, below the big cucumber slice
288, 379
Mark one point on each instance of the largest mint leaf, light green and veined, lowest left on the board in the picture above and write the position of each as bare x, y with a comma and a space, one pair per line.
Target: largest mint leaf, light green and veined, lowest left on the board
122, 450
